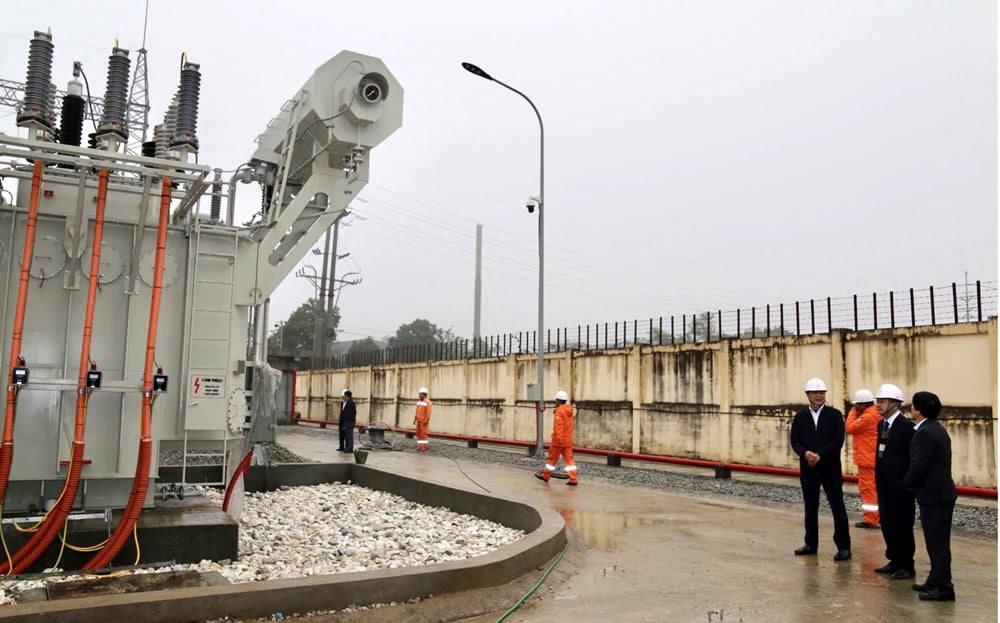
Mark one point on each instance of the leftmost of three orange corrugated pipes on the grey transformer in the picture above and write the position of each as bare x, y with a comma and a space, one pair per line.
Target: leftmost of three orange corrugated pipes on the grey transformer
7, 443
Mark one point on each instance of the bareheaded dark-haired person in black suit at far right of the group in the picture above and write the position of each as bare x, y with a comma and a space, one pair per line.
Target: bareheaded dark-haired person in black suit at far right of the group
930, 477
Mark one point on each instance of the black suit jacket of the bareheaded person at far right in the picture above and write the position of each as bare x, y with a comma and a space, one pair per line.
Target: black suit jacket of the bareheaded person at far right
929, 475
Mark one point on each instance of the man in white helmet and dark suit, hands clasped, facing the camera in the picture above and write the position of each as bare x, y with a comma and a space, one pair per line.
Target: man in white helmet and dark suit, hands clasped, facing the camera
817, 437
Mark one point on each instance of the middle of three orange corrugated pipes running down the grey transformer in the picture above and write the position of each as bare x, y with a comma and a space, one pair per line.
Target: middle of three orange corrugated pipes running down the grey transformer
53, 521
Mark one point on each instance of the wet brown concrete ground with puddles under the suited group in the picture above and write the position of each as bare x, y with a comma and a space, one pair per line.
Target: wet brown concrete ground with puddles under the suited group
656, 556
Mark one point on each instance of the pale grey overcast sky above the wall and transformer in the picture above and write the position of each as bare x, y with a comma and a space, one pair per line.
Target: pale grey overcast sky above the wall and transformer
700, 155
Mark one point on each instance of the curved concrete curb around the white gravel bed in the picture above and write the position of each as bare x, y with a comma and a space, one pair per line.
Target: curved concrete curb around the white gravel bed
544, 539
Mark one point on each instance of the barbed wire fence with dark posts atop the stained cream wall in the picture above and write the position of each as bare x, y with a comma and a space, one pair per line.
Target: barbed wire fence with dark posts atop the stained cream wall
951, 304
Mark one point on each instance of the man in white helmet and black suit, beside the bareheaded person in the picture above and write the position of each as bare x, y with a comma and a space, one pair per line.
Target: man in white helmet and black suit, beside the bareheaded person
895, 503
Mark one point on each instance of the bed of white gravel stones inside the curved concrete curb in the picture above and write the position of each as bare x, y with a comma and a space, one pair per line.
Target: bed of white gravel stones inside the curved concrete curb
330, 528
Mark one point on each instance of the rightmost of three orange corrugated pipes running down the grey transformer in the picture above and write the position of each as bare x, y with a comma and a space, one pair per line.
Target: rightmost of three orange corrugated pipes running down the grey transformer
140, 482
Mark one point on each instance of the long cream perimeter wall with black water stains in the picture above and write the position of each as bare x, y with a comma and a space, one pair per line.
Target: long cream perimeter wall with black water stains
729, 401
